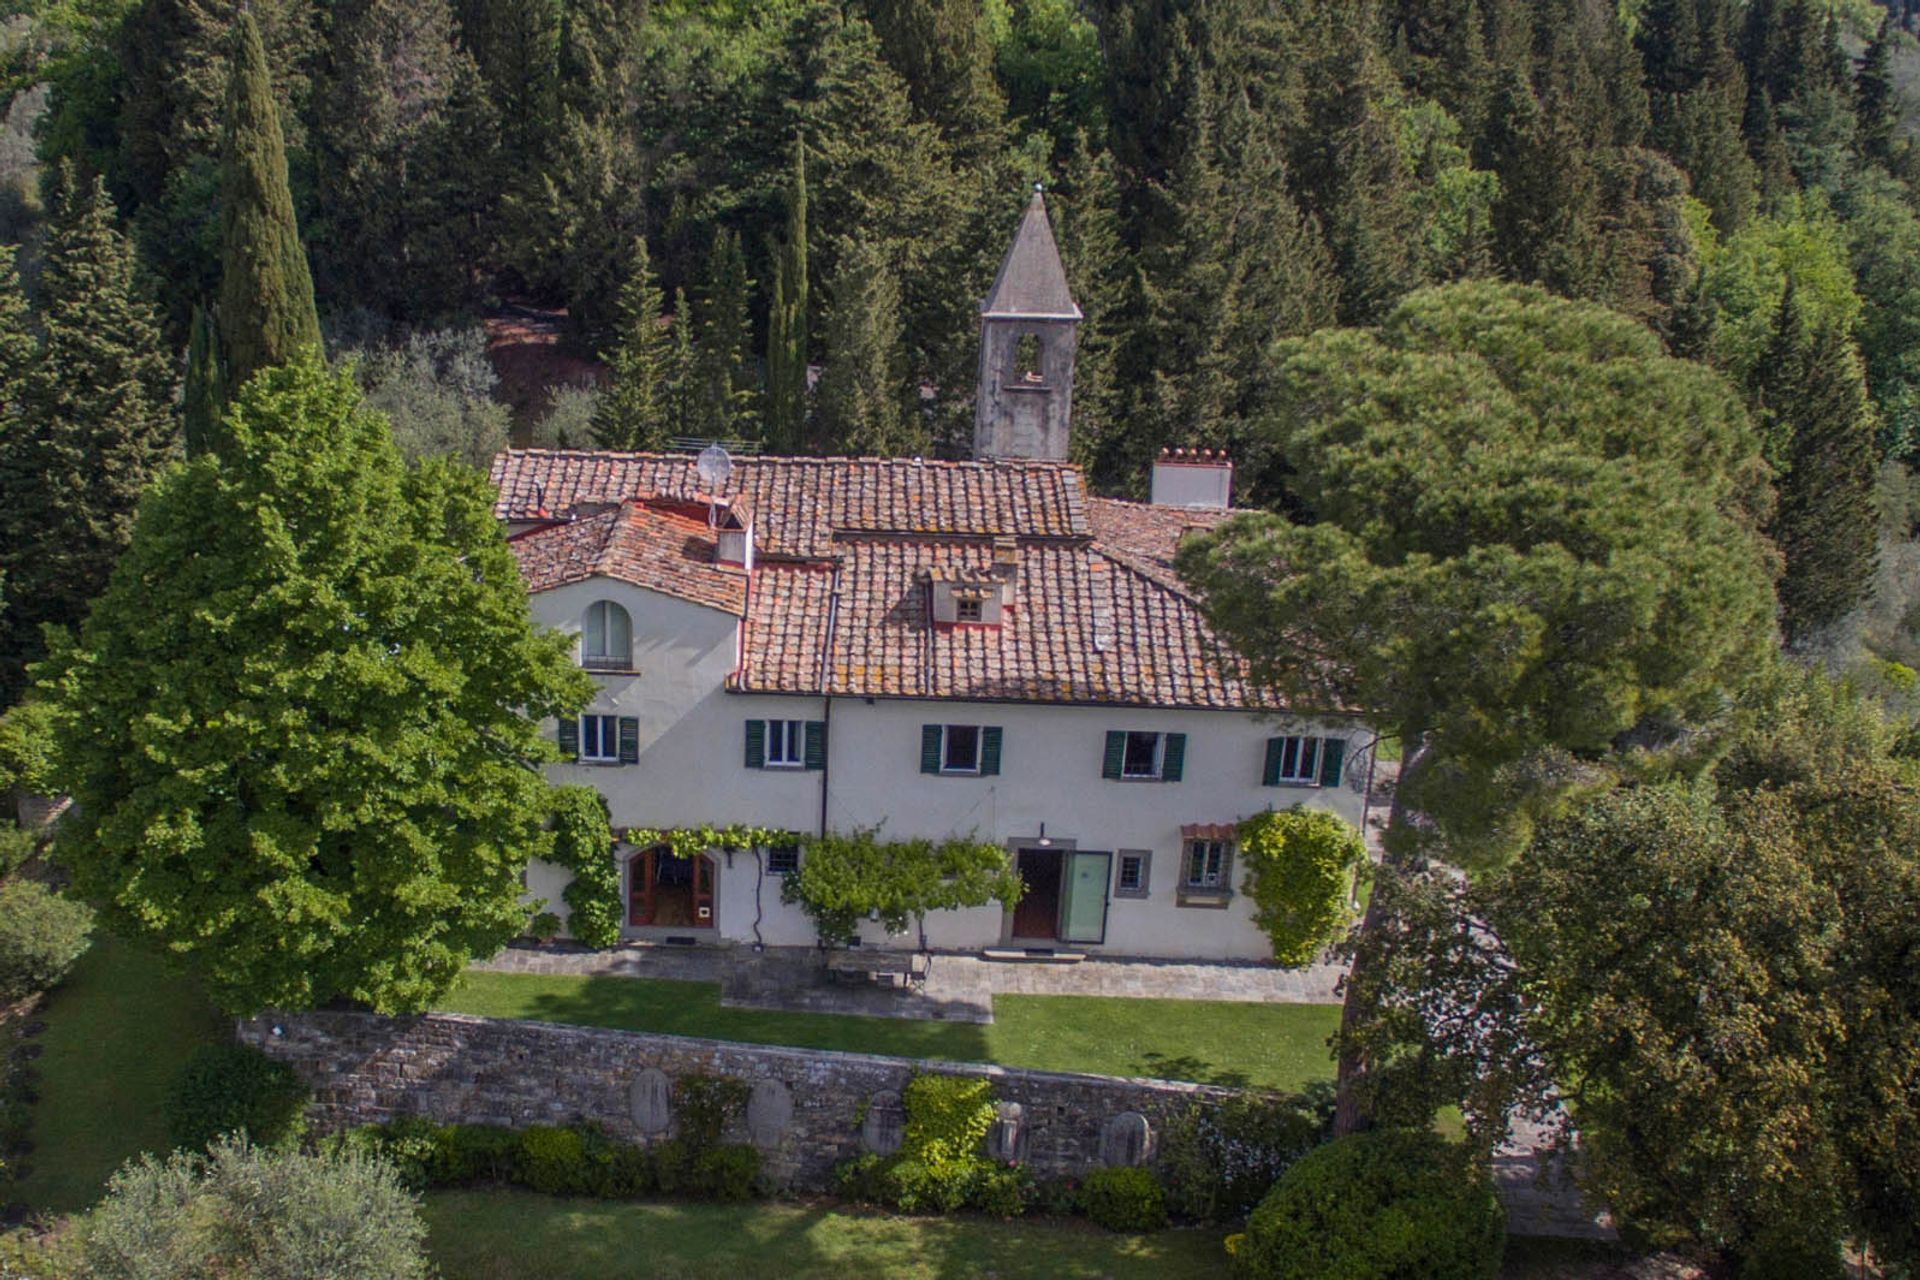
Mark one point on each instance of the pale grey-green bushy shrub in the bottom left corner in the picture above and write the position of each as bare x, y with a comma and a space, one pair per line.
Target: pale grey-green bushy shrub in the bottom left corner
249, 1212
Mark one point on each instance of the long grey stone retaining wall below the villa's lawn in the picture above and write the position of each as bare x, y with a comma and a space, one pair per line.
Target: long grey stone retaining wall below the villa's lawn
809, 1110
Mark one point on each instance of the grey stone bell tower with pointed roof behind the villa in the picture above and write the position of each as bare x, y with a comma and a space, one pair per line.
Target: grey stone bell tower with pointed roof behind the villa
1028, 331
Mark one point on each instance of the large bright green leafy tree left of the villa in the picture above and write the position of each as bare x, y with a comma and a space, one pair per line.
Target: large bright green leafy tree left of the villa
304, 721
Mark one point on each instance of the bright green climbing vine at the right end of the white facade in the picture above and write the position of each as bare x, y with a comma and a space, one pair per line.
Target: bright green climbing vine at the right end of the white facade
1299, 872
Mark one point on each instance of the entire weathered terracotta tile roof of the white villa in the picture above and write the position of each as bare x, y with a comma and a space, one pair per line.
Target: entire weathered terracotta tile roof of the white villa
848, 548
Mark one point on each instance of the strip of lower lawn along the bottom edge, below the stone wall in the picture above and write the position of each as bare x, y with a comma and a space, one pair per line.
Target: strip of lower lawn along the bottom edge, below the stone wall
512, 1235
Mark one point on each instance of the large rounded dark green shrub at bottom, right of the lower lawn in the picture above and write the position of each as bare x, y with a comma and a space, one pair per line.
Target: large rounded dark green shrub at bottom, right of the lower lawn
1397, 1202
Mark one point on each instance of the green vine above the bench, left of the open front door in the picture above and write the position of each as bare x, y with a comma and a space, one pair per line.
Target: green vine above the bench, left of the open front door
850, 878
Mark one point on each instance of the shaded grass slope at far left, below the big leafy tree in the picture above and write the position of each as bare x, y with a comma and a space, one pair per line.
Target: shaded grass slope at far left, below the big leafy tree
118, 1031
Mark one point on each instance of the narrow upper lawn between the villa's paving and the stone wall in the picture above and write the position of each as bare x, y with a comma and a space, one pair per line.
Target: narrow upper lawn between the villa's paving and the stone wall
1209, 1041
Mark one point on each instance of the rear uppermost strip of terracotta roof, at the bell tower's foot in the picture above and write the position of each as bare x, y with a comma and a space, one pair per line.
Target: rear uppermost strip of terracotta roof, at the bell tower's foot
804, 502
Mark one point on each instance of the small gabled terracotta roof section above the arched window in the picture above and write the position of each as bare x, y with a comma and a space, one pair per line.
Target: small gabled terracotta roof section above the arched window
646, 544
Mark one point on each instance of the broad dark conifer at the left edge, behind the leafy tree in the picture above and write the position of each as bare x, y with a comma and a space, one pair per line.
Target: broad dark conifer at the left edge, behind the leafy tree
97, 425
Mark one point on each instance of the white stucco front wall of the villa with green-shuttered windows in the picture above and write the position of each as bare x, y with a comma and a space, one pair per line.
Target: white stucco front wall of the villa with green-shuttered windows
692, 770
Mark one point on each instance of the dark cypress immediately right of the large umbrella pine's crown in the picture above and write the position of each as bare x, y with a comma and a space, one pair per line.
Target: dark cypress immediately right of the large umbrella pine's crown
1819, 433
